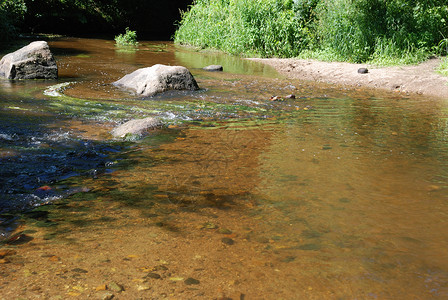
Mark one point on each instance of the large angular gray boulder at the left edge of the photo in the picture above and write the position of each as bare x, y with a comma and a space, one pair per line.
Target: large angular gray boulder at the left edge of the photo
34, 61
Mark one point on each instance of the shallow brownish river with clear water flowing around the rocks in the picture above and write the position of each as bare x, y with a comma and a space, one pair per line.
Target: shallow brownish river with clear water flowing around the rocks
337, 194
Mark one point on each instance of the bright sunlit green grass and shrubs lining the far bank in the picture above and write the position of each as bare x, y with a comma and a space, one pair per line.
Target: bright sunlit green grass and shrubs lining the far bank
379, 31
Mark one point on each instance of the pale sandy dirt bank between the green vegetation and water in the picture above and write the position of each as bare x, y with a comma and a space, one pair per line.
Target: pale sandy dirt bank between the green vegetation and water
419, 79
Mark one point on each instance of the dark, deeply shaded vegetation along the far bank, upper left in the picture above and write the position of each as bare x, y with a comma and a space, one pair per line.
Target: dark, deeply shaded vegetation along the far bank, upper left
152, 19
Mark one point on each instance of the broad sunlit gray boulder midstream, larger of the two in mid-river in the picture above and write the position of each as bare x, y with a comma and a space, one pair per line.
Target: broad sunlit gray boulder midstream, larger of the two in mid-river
150, 81
